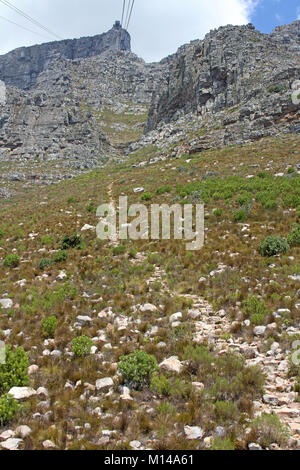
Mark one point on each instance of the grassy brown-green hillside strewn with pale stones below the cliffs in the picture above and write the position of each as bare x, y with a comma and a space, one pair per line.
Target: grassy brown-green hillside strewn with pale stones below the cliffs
223, 293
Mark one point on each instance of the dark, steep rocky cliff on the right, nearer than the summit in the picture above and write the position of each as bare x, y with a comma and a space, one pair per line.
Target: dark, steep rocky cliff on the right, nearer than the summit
236, 80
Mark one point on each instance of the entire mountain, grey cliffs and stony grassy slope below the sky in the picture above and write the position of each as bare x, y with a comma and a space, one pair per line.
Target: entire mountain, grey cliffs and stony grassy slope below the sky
108, 343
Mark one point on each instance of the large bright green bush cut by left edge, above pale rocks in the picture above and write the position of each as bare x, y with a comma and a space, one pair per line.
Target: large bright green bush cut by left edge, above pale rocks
14, 372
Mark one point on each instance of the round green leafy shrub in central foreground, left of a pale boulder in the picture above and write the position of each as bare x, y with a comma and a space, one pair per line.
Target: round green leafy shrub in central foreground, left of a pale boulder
137, 368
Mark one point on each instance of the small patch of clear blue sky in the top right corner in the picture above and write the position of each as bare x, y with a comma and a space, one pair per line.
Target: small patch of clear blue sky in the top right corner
270, 13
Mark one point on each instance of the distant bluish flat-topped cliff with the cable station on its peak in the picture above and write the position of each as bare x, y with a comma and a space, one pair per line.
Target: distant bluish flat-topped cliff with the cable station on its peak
22, 66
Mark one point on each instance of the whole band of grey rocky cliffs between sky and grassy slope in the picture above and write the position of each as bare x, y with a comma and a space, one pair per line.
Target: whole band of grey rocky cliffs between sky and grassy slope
80, 102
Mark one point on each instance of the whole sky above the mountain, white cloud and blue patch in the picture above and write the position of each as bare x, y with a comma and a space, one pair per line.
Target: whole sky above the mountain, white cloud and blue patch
157, 27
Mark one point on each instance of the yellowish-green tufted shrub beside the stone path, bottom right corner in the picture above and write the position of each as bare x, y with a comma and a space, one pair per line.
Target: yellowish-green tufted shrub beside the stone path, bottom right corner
269, 429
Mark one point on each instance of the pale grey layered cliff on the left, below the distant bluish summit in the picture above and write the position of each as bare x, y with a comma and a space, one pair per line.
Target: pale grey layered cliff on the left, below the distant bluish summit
79, 111
